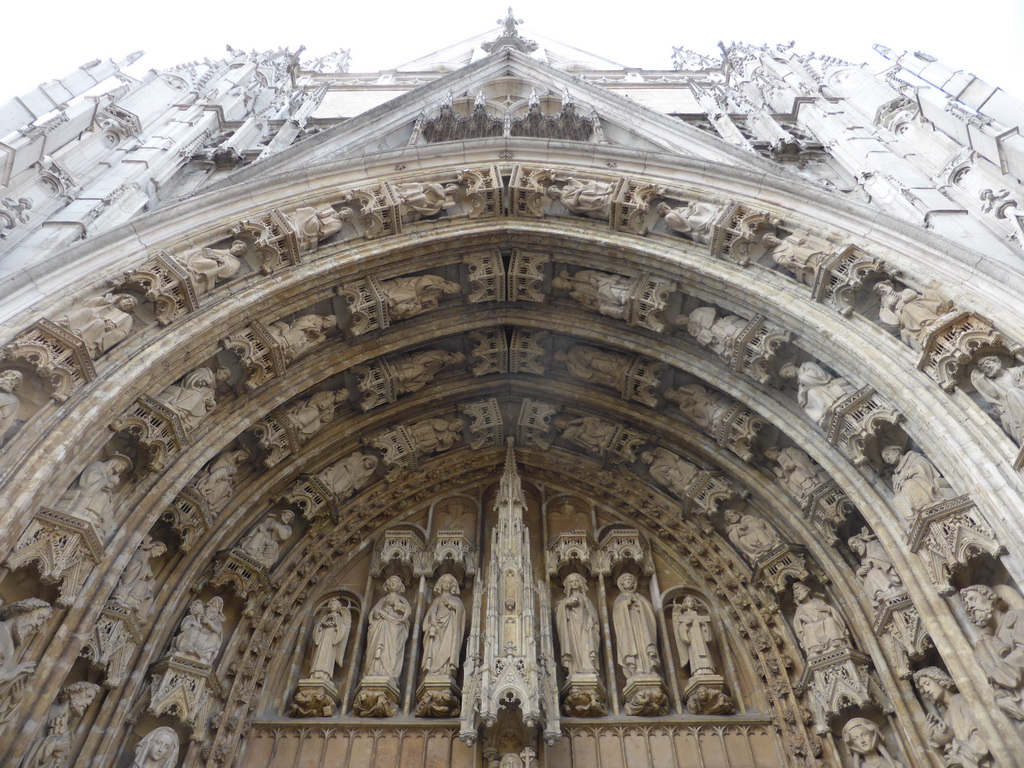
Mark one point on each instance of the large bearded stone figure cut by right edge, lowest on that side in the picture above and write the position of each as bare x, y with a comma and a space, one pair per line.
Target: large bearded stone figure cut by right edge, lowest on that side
1000, 649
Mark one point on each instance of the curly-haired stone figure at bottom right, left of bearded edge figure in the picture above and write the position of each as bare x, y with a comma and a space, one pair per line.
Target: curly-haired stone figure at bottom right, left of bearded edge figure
957, 733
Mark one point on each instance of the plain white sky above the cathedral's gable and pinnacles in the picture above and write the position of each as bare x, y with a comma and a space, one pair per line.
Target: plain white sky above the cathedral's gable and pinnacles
44, 40
